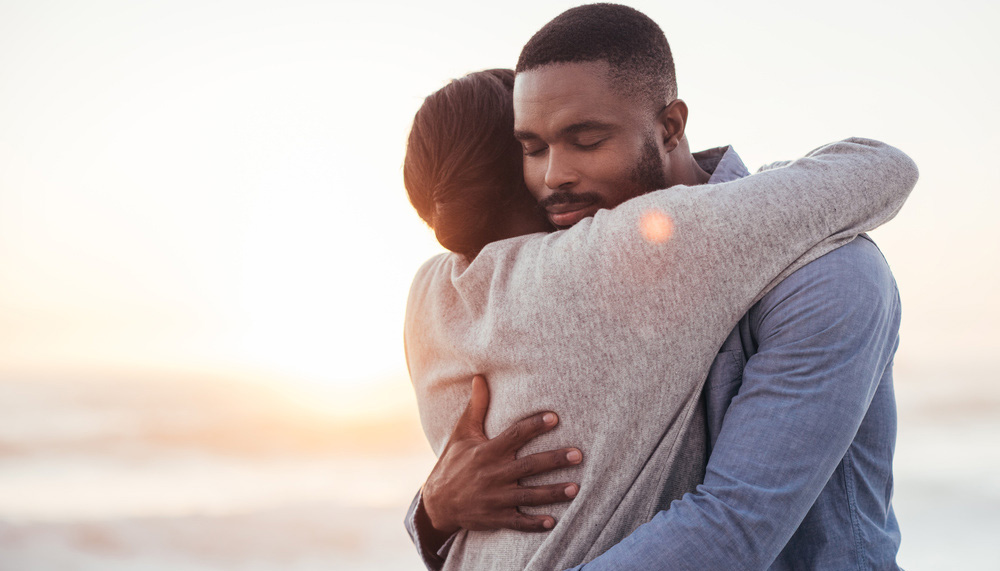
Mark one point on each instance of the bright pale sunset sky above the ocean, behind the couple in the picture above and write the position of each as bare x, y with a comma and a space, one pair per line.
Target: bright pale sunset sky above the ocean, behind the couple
215, 186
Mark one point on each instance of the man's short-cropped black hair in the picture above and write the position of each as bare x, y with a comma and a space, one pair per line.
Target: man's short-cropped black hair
632, 44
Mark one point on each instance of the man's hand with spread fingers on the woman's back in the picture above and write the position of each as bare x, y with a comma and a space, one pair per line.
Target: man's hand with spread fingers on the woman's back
474, 484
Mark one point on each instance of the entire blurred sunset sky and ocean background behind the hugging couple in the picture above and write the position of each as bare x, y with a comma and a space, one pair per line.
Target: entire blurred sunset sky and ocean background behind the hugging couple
206, 247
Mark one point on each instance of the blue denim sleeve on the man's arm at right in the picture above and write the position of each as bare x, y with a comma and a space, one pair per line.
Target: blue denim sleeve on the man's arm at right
824, 336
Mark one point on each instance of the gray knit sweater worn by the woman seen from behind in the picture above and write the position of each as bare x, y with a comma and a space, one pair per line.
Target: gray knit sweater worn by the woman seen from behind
616, 332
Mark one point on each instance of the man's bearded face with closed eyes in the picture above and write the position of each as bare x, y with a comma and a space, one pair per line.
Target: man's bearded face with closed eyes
586, 147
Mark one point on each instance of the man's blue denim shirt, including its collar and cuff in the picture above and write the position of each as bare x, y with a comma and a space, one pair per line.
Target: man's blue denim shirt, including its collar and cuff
801, 423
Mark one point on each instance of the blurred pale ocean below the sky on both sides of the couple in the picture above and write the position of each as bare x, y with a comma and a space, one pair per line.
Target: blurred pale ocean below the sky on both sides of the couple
206, 475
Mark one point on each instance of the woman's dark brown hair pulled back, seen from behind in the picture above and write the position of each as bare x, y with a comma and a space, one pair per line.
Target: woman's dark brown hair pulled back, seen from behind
463, 165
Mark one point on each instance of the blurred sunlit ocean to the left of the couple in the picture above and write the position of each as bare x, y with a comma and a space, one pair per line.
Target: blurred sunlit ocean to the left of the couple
197, 476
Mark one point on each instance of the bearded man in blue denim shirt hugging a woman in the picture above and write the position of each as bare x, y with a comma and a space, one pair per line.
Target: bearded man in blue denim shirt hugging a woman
800, 468
